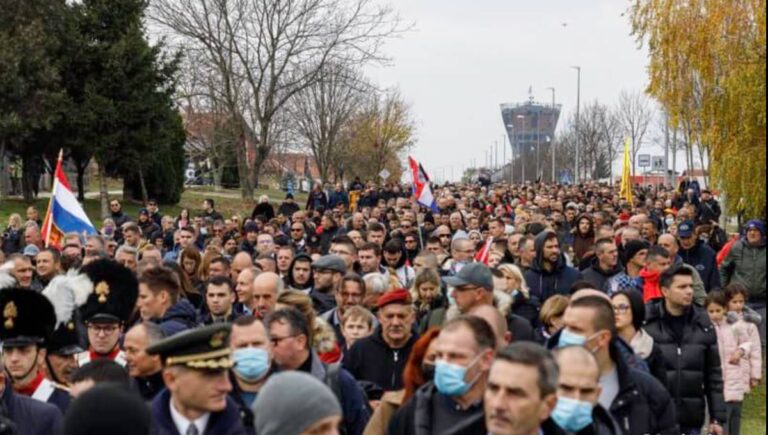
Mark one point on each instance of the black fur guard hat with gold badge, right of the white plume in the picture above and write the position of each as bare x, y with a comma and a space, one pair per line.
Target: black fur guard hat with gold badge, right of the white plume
115, 290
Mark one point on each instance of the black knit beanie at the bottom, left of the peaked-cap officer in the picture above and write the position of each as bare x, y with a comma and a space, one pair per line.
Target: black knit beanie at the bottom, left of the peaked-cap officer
107, 409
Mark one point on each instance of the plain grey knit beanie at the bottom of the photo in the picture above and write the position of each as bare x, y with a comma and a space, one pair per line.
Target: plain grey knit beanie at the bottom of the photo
291, 402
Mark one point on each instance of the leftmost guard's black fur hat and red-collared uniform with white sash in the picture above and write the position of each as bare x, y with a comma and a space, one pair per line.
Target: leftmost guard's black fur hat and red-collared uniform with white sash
29, 319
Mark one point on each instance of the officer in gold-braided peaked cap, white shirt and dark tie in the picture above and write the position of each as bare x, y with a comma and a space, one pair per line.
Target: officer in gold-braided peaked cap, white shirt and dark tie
195, 401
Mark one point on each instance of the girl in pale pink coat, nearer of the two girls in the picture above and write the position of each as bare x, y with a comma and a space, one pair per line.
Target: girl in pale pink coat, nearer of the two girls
734, 346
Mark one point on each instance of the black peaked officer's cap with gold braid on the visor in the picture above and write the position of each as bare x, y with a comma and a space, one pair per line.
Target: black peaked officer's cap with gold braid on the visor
206, 347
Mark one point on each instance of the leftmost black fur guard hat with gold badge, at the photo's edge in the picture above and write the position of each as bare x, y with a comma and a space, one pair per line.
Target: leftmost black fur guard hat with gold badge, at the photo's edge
28, 317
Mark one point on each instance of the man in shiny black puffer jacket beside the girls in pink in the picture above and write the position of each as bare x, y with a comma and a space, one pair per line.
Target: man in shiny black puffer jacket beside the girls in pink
688, 344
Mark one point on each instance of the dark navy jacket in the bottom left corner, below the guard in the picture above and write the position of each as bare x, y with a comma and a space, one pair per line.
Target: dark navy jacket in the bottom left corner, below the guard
32, 417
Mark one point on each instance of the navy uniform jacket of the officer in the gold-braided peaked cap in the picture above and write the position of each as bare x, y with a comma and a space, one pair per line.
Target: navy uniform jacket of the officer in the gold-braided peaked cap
226, 422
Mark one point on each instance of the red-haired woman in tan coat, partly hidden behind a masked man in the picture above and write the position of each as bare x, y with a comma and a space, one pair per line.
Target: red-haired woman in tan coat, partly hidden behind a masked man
419, 369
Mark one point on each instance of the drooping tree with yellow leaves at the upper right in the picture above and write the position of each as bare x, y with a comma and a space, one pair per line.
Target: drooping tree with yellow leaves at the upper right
707, 68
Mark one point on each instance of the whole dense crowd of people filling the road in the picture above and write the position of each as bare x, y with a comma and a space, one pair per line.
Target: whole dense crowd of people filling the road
505, 309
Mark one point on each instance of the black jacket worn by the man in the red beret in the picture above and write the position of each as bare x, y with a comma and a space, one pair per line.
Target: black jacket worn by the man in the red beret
371, 359
